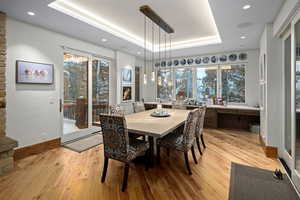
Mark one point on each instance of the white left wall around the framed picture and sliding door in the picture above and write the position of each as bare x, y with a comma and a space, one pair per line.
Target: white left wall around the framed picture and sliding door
32, 110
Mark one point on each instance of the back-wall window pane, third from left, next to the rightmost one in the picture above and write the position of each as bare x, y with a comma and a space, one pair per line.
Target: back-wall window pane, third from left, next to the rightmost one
206, 83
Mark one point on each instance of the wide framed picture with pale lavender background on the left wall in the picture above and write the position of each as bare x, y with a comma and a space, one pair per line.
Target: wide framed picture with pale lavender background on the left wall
34, 73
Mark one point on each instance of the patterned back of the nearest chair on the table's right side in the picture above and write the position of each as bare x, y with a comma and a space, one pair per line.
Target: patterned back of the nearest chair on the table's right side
189, 128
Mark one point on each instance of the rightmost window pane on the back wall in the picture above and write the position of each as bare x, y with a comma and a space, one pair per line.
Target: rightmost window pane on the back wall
233, 83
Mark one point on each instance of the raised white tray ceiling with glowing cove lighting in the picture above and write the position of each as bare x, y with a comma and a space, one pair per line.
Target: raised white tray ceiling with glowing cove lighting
192, 20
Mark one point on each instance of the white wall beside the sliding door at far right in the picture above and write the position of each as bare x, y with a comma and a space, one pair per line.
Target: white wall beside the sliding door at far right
273, 119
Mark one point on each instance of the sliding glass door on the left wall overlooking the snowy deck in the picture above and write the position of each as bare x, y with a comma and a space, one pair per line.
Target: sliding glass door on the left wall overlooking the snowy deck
85, 94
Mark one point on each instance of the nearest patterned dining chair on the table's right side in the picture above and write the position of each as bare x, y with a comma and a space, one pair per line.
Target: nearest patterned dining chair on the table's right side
183, 142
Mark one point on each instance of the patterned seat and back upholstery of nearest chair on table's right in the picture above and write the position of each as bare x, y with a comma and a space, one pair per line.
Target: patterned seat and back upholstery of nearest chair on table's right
182, 141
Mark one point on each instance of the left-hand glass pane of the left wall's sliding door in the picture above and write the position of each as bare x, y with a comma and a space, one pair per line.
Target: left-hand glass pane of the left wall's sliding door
75, 92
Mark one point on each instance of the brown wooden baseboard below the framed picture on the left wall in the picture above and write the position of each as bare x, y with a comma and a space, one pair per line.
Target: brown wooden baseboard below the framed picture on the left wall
36, 148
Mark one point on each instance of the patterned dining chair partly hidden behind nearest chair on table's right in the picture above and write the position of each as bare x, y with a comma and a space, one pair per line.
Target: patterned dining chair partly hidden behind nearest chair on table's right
199, 128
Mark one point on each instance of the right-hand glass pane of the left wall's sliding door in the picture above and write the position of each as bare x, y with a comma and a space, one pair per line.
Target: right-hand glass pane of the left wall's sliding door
100, 88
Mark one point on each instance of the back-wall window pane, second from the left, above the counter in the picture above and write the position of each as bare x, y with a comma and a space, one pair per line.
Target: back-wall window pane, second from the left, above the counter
183, 84
